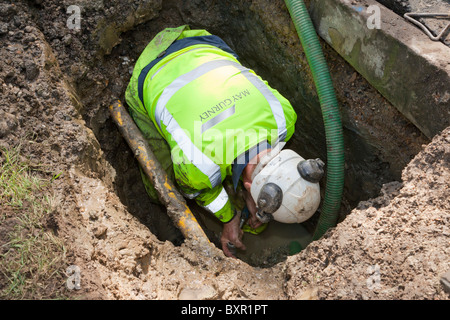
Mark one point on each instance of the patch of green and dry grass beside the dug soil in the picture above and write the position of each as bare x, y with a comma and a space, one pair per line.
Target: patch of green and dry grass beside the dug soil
31, 256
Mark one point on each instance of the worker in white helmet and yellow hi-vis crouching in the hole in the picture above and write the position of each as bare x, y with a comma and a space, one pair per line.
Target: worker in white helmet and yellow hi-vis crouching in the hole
218, 130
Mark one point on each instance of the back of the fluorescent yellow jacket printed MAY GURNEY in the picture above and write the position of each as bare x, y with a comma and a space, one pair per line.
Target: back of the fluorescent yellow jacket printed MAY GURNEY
209, 107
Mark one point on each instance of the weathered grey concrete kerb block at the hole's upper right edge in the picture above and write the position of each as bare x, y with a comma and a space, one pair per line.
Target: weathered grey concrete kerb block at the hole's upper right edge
397, 58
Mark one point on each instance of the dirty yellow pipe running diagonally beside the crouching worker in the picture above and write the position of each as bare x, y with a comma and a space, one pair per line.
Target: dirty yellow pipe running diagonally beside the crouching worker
177, 208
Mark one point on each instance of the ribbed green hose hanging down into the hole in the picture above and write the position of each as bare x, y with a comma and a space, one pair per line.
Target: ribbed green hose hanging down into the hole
330, 112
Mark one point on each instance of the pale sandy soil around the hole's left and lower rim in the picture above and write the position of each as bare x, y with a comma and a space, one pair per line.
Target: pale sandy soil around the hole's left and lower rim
391, 247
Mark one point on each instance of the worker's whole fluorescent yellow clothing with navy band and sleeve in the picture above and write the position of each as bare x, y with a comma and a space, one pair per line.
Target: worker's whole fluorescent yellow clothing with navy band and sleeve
214, 113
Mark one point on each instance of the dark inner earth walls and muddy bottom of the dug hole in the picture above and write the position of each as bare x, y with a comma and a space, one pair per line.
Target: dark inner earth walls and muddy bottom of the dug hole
379, 140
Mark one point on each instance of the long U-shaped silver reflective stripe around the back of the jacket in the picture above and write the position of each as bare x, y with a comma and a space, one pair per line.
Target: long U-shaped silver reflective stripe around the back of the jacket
193, 154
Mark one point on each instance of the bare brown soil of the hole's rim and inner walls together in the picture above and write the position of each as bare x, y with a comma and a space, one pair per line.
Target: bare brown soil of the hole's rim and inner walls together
57, 84
